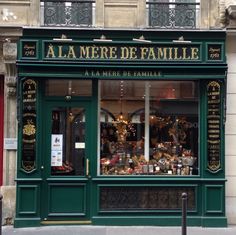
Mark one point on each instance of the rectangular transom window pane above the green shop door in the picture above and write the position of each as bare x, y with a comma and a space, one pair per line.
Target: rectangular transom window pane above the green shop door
68, 87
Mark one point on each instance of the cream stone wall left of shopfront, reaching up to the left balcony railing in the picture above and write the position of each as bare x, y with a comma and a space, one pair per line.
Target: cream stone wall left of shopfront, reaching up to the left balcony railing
14, 14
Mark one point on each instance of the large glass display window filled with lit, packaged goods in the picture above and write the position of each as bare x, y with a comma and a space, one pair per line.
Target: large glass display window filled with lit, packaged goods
148, 128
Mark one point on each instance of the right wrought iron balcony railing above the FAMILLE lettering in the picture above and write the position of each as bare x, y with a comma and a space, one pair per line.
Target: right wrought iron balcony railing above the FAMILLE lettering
173, 14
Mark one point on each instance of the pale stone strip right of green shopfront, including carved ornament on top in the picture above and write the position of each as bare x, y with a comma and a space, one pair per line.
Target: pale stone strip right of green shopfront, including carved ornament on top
230, 151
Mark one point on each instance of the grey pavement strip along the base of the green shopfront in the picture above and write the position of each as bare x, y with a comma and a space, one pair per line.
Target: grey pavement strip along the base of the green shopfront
115, 230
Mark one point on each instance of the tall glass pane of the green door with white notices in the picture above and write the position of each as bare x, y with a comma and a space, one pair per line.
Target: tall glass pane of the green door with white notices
68, 141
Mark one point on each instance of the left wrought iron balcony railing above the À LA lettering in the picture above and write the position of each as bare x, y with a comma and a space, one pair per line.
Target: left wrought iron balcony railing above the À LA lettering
67, 12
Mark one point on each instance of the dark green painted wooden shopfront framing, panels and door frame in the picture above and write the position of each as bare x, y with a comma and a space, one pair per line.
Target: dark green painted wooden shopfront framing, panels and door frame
40, 196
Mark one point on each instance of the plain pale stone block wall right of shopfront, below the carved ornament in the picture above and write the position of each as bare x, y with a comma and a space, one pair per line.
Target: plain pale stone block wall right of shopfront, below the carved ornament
230, 148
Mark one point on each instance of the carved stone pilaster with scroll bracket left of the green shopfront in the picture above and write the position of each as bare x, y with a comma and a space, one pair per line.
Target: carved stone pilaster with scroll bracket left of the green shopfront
10, 131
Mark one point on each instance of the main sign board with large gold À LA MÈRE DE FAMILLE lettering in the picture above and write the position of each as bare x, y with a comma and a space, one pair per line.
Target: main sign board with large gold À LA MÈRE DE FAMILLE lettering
113, 52
